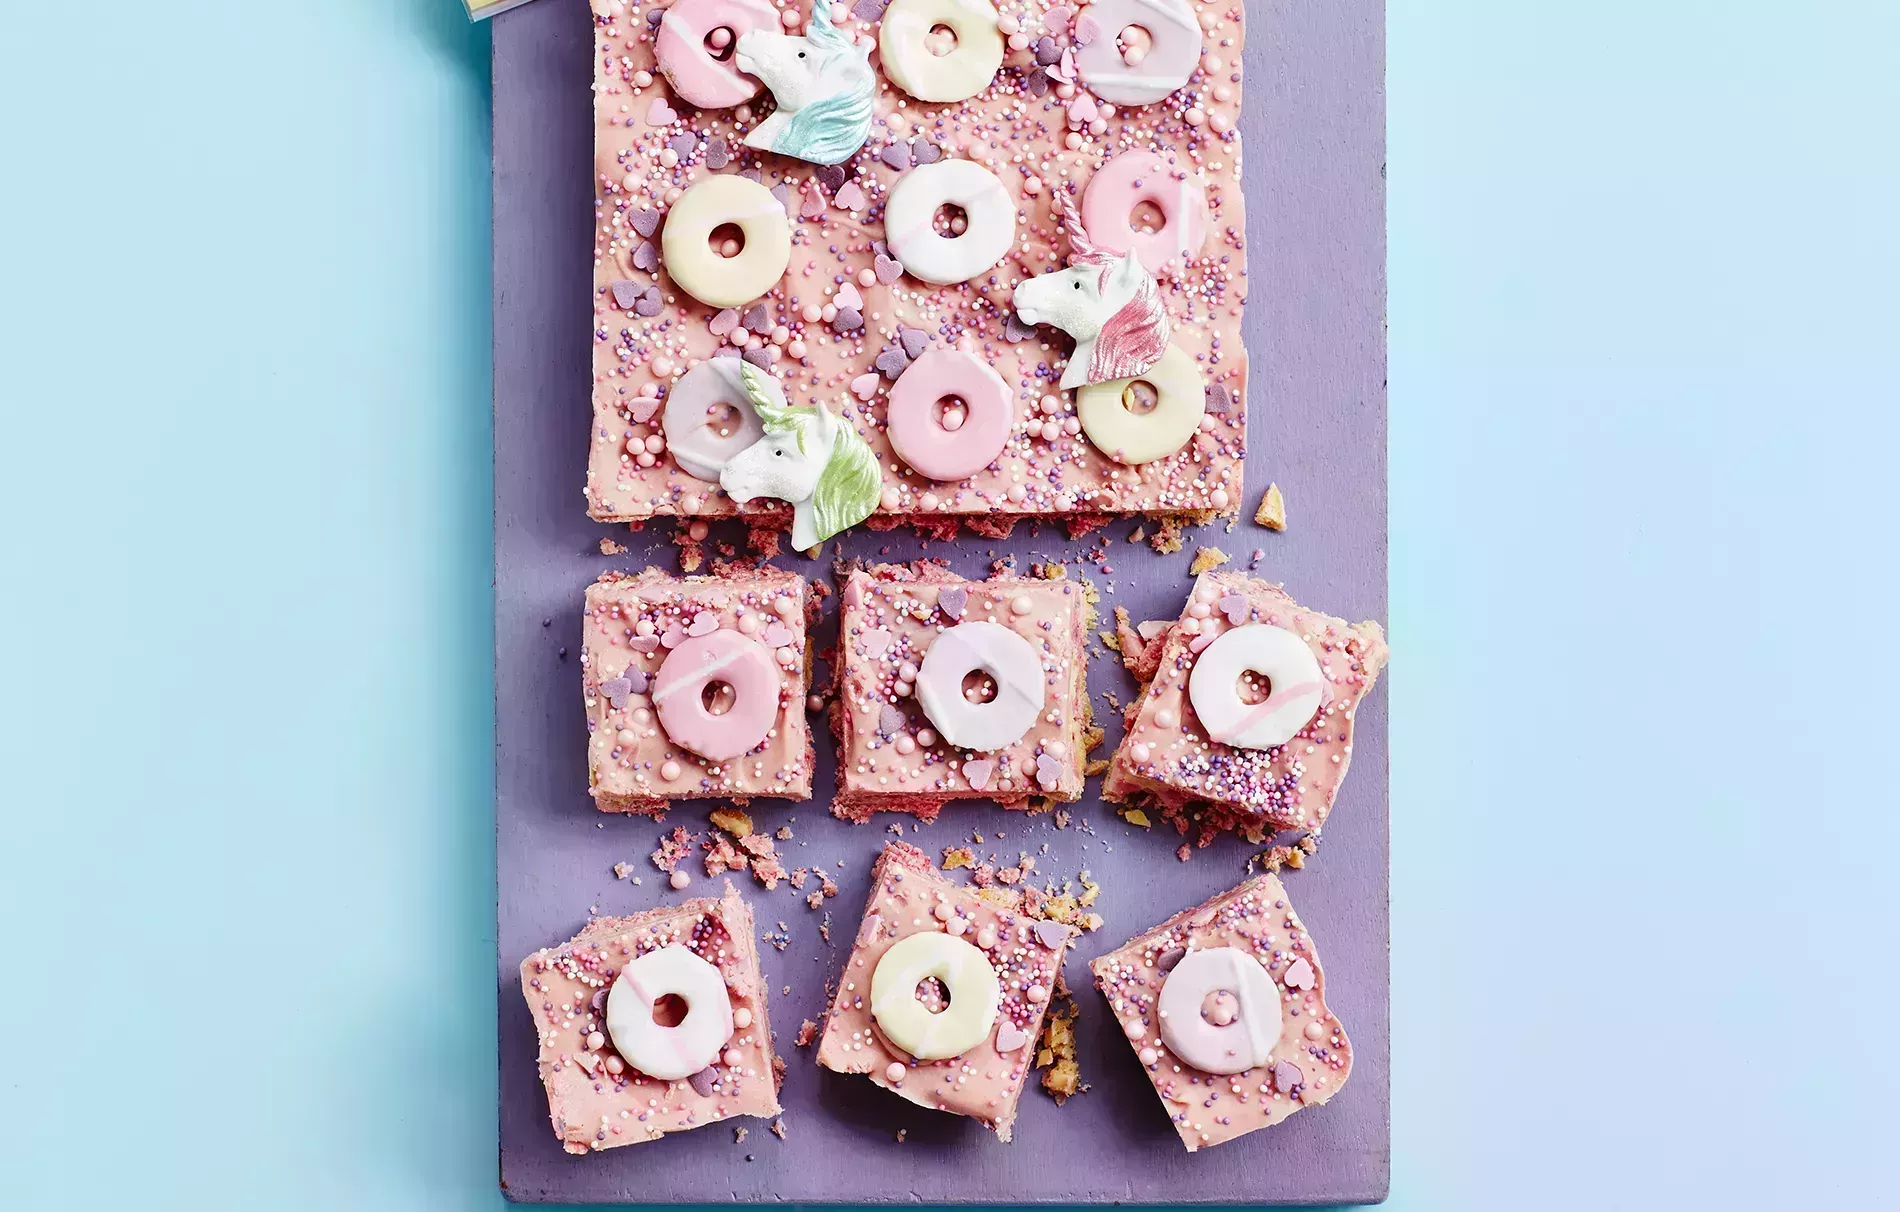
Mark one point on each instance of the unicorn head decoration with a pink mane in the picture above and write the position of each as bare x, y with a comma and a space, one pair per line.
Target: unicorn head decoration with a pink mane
1111, 305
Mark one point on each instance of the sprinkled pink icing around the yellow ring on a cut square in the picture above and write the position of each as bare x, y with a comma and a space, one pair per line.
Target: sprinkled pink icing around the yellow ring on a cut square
1027, 955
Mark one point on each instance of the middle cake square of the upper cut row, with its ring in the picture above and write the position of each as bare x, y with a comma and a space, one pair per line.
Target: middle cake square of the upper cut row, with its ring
959, 691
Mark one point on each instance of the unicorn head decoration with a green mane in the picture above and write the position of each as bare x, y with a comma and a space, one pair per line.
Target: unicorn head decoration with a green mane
810, 459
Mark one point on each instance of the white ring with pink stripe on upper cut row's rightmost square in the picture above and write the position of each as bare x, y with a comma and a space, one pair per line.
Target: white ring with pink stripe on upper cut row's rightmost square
1295, 687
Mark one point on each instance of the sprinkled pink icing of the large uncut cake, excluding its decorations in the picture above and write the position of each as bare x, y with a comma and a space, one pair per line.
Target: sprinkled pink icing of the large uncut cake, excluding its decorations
1042, 136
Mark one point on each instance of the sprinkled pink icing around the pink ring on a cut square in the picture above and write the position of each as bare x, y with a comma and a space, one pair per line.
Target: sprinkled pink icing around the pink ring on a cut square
628, 632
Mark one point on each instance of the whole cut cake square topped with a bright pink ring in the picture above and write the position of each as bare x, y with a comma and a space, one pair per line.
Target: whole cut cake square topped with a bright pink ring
696, 689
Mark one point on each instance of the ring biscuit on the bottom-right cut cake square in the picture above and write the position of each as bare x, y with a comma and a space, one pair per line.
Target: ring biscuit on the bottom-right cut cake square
1247, 1040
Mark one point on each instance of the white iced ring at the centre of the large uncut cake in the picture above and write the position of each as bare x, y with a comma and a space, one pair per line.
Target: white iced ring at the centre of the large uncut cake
949, 259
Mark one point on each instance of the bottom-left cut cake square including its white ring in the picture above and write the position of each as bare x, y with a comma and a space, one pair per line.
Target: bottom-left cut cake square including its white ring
696, 958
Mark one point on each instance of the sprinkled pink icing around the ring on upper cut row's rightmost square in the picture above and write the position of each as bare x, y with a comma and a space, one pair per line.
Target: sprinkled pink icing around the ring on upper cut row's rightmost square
1166, 753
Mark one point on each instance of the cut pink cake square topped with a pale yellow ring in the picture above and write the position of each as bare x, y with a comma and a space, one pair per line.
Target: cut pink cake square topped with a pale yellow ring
966, 1042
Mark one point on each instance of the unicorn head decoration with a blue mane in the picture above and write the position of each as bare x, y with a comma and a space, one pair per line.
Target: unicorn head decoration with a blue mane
824, 86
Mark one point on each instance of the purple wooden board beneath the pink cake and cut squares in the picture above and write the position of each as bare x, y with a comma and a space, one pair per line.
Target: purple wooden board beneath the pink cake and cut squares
1316, 331
